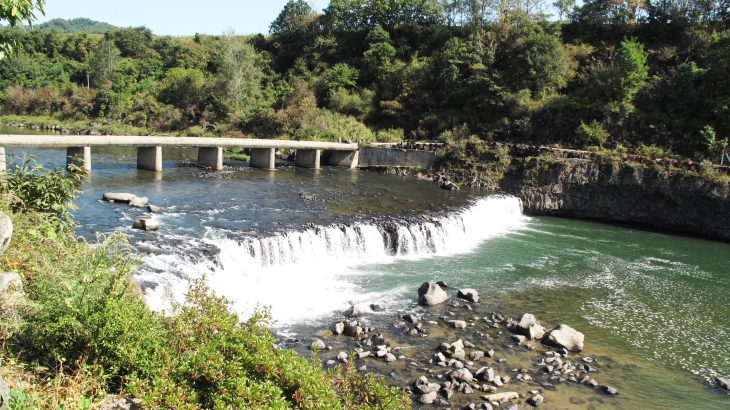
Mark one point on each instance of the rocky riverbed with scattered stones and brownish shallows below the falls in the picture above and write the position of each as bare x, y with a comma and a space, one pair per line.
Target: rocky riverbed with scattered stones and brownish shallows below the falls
458, 353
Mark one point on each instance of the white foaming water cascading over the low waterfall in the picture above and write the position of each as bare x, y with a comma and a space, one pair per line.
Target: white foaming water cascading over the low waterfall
307, 274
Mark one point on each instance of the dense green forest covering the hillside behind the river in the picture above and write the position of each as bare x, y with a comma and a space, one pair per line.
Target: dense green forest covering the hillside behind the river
608, 73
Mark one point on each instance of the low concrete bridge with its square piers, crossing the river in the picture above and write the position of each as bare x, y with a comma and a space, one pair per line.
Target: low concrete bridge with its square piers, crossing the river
210, 150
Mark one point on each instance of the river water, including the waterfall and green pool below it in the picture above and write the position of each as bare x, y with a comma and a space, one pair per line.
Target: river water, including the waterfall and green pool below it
309, 243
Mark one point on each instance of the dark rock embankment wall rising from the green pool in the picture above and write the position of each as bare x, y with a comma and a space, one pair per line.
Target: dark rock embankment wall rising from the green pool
626, 193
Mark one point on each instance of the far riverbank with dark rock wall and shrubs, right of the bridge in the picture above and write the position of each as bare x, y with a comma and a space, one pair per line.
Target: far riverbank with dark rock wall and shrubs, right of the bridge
682, 196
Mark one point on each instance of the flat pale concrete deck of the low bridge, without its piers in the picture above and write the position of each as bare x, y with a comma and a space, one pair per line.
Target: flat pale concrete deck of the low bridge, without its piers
46, 141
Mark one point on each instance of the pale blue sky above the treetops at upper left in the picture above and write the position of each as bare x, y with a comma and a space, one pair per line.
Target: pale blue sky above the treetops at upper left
175, 17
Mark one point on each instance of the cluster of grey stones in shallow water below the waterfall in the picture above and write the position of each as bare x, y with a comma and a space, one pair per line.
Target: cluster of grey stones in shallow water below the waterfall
469, 371
